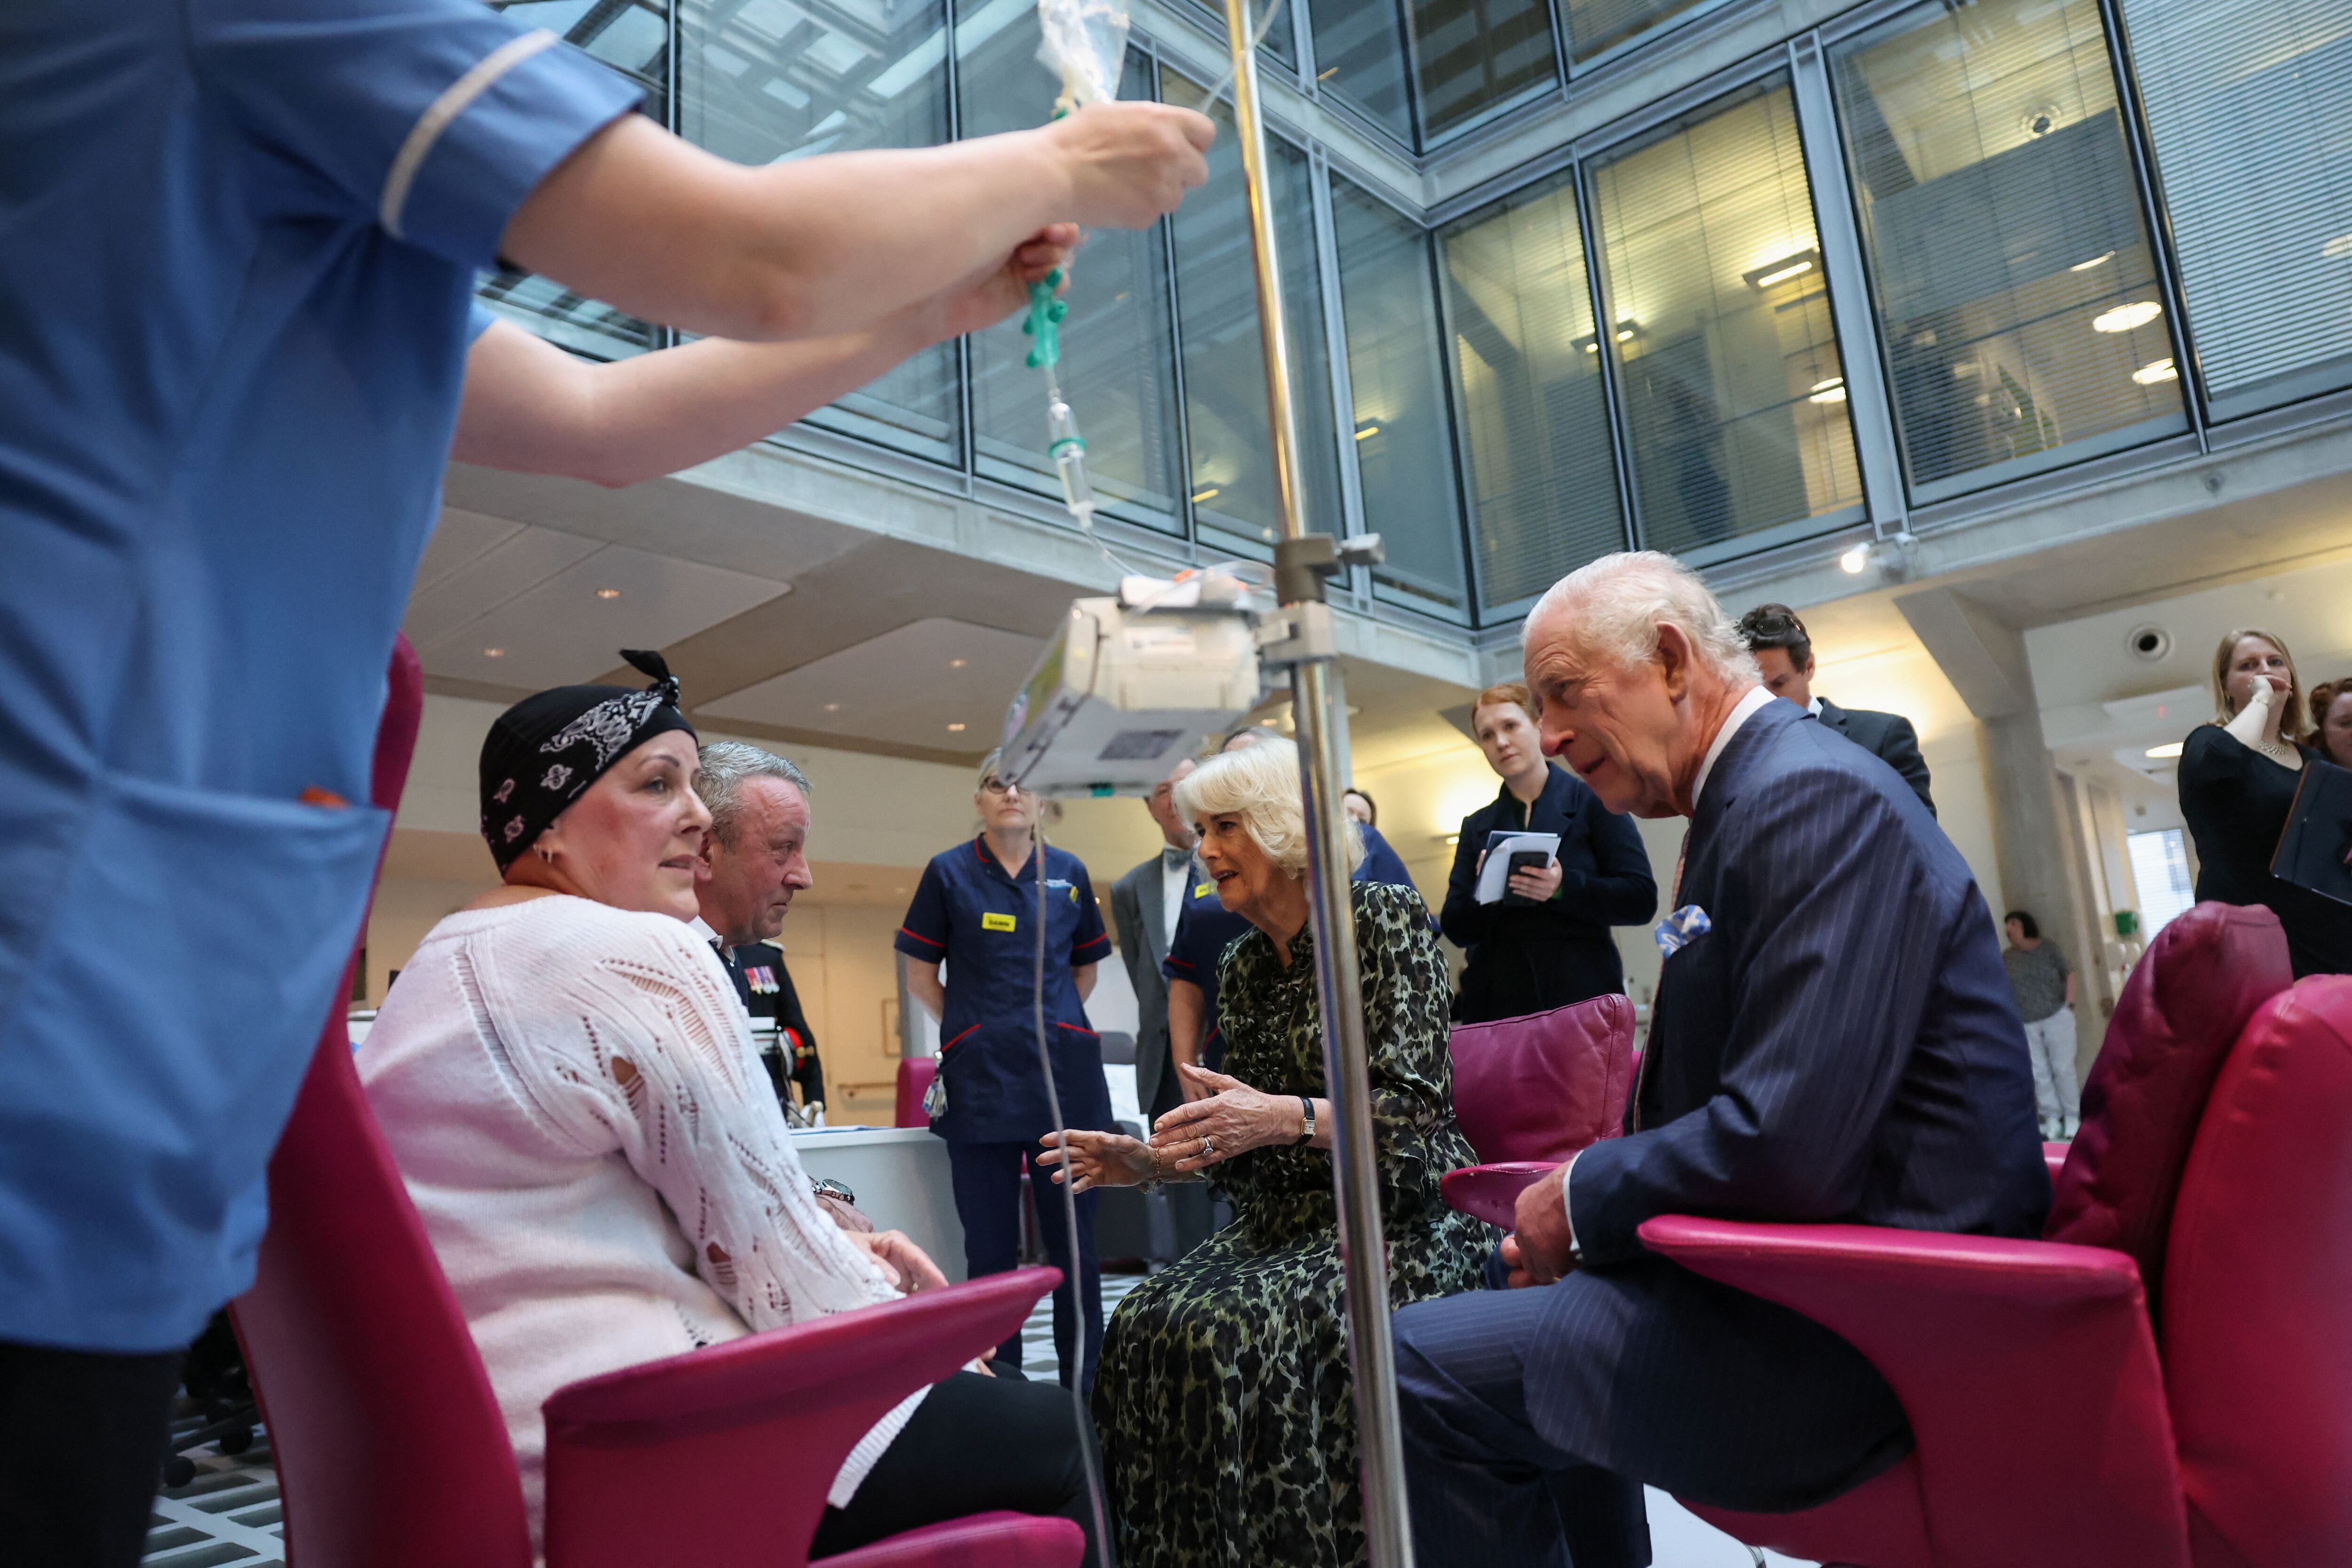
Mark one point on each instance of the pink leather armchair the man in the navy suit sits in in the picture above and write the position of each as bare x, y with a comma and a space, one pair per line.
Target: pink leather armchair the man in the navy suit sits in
2052, 1421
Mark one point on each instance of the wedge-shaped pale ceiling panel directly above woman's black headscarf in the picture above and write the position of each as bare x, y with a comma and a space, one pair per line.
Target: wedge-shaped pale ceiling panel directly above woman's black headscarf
533, 594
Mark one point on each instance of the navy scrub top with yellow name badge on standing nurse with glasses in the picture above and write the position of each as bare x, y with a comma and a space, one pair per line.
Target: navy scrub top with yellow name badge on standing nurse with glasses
984, 925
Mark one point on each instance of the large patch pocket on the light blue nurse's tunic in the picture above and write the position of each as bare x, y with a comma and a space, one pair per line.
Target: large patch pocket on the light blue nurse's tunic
156, 1050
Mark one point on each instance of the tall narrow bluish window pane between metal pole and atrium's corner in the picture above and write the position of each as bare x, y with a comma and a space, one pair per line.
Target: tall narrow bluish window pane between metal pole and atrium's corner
1403, 434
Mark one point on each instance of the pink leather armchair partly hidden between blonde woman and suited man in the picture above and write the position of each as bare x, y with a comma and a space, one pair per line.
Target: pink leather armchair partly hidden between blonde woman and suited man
1532, 1092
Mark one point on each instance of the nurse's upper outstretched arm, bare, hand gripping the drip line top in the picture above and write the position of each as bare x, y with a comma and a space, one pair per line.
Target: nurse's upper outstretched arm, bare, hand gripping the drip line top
817, 246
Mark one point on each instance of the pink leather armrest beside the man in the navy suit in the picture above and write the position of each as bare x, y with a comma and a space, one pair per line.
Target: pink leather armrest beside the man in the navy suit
2026, 1367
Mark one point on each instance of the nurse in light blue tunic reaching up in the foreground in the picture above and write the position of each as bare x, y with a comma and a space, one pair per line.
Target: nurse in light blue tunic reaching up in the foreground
229, 391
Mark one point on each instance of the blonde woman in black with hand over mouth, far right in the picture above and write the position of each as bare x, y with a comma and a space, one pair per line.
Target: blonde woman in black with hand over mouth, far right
2238, 784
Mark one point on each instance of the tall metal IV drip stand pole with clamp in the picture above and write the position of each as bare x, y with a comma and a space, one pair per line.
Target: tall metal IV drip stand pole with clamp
1321, 713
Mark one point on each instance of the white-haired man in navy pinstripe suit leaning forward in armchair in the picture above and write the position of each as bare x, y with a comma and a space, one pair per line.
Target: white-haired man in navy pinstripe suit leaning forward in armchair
1833, 1040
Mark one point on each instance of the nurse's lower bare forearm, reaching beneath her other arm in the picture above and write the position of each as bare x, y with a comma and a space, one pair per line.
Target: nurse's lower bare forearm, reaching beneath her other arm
533, 408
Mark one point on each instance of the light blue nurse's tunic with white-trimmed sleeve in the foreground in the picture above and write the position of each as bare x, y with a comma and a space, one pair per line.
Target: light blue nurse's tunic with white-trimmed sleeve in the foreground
239, 241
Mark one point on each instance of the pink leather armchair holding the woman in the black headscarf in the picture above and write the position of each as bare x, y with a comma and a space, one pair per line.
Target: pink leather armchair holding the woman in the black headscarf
389, 1442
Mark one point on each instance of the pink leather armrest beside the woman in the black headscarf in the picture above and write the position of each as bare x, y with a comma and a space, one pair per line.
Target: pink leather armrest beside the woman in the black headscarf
728, 1454
